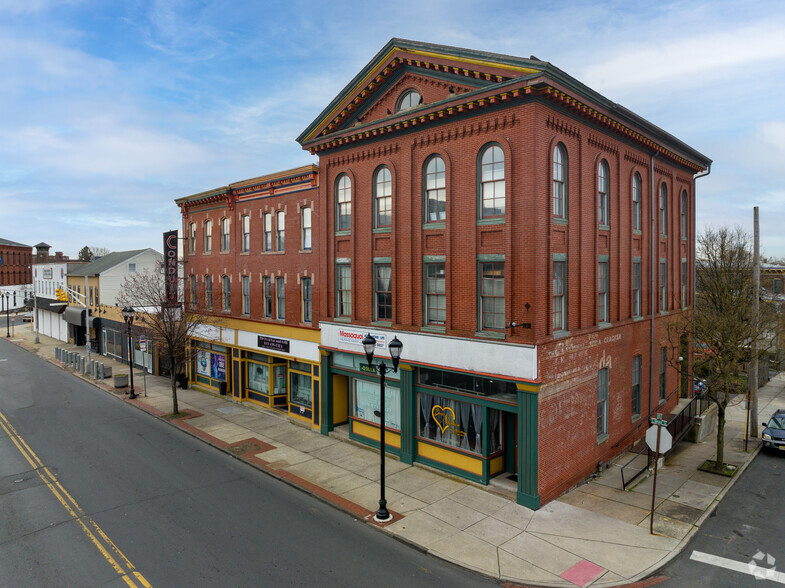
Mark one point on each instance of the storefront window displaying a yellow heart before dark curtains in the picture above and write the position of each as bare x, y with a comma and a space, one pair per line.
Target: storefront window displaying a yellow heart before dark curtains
457, 424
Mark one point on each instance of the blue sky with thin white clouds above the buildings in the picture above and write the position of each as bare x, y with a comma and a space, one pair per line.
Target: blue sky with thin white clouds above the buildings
111, 110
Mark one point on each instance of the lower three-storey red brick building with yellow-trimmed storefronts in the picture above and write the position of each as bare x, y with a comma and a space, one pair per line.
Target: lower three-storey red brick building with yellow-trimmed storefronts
251, 263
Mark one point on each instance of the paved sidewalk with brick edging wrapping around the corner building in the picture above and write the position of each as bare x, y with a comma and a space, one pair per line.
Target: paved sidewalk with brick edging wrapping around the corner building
596, 534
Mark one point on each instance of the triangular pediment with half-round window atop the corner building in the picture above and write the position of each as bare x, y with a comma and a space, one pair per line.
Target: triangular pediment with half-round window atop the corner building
437, 74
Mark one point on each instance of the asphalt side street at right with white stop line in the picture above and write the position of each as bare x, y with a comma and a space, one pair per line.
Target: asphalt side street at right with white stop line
741, 544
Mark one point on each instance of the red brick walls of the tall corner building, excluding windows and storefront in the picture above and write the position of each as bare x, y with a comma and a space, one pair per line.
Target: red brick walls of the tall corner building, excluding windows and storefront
472, 101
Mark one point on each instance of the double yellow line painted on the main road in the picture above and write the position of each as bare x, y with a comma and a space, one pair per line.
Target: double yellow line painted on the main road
99, 539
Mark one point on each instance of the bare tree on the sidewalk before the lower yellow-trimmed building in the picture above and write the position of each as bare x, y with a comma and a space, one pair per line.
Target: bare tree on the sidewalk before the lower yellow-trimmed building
168, 325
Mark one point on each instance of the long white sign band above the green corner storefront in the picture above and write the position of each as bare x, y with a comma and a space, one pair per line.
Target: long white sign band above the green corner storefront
489, 357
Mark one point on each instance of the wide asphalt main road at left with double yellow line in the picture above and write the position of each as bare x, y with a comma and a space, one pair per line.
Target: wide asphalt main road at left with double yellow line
96, 492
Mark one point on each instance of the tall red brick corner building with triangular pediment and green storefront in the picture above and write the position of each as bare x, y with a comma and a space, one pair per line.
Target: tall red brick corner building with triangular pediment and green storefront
524, 237
